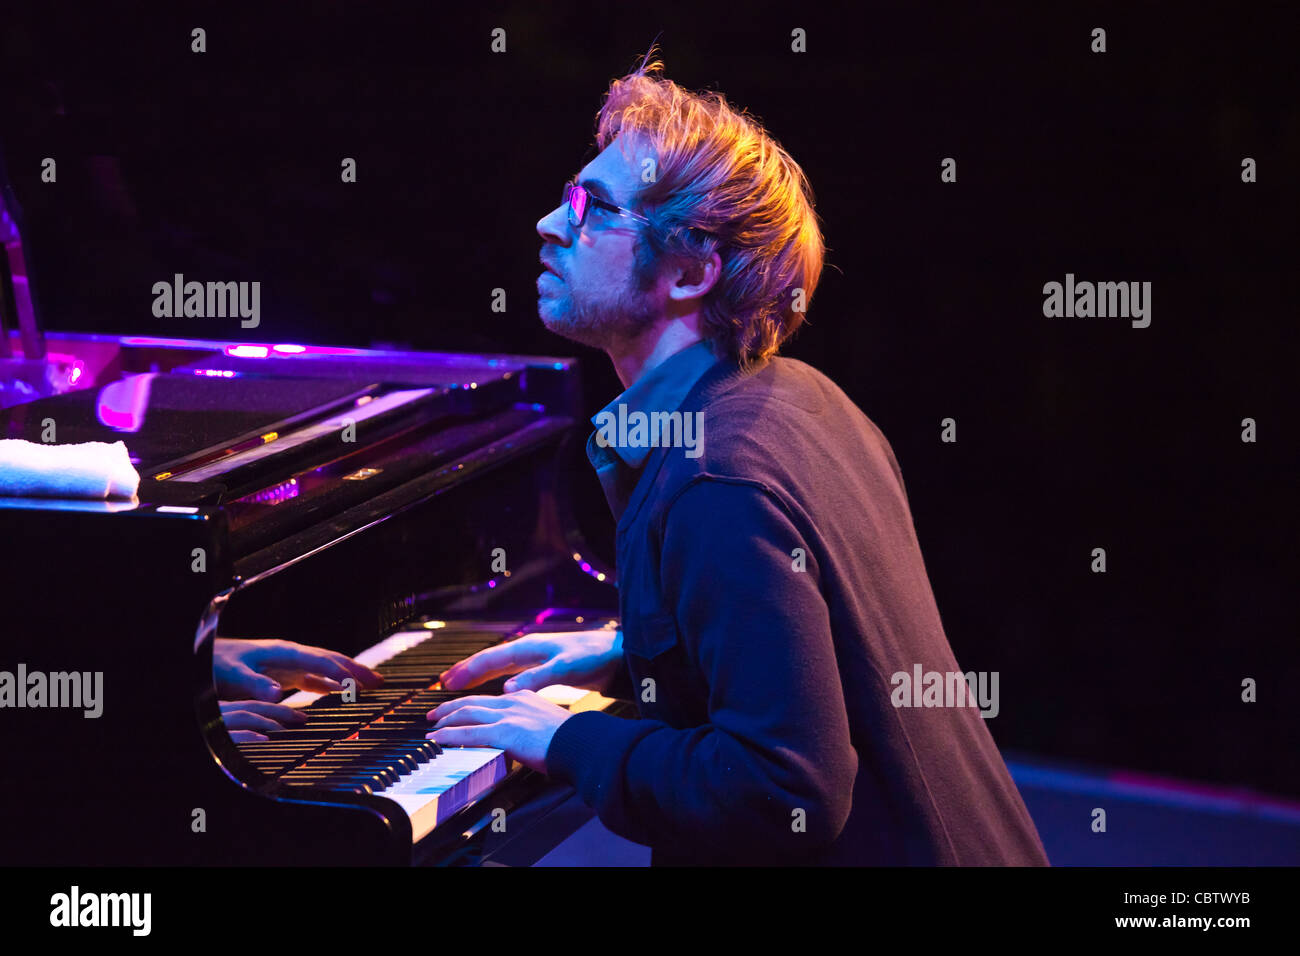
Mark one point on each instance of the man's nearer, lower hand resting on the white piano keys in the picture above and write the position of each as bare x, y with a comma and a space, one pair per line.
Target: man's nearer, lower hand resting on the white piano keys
521, 724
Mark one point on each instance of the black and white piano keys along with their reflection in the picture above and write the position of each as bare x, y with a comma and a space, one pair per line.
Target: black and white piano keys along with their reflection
378, 743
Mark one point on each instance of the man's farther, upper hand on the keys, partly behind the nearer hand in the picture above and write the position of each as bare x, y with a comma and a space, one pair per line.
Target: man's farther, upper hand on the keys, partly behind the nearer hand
579, 659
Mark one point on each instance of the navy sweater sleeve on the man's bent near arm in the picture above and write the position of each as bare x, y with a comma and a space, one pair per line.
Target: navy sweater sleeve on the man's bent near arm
770, 776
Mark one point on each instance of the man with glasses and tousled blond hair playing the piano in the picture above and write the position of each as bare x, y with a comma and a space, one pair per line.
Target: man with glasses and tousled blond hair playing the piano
772, 583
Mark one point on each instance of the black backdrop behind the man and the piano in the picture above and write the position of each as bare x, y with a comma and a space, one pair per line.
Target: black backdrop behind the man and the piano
1073, 434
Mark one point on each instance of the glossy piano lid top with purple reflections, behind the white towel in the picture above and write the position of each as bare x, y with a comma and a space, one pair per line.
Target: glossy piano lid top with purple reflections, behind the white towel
219, 416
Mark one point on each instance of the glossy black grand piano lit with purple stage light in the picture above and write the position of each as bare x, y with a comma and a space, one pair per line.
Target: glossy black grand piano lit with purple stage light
404, 508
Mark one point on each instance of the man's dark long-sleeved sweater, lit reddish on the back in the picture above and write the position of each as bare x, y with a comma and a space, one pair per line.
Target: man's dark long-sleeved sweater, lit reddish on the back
768, 730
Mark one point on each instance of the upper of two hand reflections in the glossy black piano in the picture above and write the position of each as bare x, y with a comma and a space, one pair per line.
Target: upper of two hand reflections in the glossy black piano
261, 671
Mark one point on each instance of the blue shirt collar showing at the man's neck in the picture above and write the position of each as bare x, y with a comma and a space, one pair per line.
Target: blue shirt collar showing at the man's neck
662, 390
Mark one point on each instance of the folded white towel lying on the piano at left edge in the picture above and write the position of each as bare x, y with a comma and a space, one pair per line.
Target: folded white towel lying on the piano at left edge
89, 470
